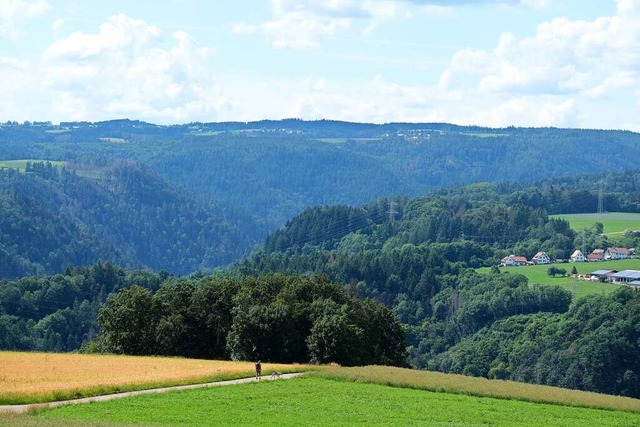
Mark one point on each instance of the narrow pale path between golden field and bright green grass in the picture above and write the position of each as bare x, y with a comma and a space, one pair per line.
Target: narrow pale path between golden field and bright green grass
19, 409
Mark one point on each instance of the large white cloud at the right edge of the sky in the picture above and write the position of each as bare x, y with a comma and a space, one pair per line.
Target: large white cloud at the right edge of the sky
553, 77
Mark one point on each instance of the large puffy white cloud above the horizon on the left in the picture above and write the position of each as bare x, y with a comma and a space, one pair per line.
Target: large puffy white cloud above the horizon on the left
125, 70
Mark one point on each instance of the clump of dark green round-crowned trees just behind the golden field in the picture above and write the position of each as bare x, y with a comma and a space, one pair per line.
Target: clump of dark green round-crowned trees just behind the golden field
275, 318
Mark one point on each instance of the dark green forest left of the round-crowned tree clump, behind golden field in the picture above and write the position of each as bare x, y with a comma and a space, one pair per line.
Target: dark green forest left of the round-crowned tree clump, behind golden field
59, 312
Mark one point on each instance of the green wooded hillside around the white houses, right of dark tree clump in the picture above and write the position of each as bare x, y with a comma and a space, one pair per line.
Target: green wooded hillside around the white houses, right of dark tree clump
416, 256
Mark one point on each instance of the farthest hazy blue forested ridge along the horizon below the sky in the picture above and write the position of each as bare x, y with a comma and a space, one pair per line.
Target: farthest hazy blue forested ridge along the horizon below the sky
273, 170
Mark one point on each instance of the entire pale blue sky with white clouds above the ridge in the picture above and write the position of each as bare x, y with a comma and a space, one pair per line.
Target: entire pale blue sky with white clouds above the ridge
496, 63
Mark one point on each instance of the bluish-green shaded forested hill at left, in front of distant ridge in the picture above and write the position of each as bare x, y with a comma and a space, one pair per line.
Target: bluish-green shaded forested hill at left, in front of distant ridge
51, 218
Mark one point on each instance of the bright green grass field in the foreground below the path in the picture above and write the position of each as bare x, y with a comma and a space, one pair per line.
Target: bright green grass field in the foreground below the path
316, 401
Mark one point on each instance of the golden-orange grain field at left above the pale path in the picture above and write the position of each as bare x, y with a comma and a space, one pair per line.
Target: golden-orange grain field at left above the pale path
41, 377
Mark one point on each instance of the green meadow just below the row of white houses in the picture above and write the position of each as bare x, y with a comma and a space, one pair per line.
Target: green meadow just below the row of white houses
538, 274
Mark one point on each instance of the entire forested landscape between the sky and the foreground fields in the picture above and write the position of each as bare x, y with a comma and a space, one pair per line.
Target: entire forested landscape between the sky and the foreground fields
315, 242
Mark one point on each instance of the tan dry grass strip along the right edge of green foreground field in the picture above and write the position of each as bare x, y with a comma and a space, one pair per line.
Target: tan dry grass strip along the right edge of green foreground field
460, 384
